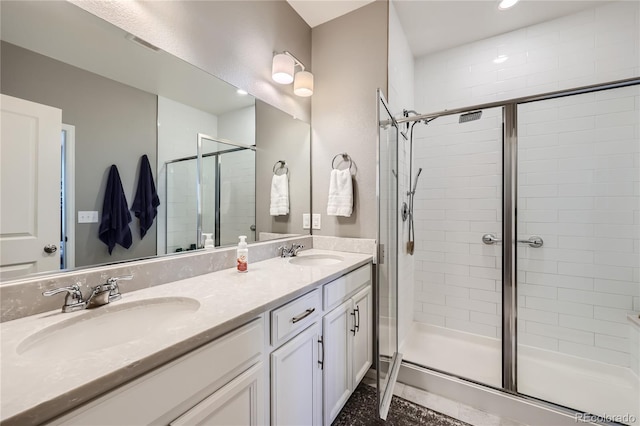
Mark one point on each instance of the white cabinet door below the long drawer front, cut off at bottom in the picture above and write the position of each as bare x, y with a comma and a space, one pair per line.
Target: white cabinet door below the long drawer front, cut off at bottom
239, 403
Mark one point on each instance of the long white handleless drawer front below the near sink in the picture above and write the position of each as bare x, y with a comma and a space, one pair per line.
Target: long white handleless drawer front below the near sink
162, 395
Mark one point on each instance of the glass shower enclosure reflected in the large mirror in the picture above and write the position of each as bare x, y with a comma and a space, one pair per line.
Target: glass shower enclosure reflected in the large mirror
211, 193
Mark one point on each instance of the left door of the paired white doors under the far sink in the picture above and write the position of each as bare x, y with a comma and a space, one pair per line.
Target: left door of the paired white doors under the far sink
338, 331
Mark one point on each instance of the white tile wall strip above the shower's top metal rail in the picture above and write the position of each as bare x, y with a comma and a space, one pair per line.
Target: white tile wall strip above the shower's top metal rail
594, 46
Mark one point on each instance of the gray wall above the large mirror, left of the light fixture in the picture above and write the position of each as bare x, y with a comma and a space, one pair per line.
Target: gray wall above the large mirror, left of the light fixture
233, 40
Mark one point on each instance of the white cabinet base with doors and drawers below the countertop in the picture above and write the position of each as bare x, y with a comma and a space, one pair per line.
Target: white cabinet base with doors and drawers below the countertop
318, 349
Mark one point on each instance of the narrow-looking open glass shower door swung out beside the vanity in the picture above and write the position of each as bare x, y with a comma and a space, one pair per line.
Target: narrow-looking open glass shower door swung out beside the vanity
388, 359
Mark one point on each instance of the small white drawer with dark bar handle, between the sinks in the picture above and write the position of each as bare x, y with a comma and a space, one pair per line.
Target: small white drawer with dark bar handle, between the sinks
294, 317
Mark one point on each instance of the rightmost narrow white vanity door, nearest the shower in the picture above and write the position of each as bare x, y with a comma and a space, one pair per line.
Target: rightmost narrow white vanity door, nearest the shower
363, 340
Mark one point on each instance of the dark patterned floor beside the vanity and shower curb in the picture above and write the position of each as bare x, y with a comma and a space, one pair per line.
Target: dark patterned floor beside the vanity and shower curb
361, 410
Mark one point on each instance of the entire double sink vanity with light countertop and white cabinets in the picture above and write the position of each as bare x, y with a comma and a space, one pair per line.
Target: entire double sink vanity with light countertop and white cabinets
285, 343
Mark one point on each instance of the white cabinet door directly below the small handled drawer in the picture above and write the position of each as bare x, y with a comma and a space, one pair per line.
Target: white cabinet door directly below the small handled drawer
296, 380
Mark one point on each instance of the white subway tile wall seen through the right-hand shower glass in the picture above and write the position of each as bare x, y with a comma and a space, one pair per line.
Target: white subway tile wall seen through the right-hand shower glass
581, 284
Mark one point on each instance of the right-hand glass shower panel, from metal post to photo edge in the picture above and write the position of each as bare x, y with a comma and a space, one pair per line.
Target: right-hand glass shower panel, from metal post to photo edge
578, 252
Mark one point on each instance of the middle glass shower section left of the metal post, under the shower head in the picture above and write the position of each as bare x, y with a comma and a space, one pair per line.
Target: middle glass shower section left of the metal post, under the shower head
457, 323
